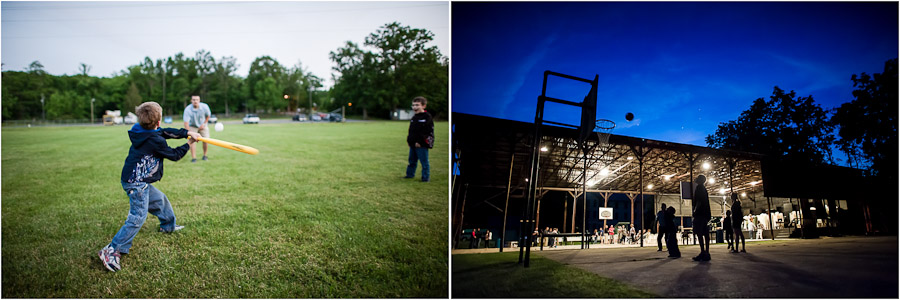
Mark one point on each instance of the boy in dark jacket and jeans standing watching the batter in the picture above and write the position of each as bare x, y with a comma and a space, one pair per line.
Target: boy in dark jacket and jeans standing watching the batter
420, 138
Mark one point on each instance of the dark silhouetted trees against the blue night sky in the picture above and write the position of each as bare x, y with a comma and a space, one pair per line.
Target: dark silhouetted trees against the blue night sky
796, 128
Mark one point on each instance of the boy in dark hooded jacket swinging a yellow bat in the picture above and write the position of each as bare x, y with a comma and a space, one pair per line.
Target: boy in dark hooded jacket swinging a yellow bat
144, 166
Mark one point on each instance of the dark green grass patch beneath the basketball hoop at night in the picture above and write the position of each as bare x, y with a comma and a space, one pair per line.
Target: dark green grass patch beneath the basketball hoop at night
498, 275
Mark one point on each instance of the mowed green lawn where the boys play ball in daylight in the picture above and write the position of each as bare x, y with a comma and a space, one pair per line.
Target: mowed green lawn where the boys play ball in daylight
322, 211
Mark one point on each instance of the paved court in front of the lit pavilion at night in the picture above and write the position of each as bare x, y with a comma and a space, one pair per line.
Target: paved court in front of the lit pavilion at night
857, 267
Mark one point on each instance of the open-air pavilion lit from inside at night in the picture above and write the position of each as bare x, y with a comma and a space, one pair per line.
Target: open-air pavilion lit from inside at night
492, 159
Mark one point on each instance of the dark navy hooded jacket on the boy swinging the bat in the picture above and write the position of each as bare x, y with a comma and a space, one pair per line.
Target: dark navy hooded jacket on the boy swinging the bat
148, 148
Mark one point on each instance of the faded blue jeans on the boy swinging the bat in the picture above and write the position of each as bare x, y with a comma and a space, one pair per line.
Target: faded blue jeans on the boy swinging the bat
143, 198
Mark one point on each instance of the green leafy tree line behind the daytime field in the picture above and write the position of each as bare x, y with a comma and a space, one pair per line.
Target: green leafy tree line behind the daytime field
400, 68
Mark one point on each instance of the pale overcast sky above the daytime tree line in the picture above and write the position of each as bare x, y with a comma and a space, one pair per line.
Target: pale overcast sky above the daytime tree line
110, 36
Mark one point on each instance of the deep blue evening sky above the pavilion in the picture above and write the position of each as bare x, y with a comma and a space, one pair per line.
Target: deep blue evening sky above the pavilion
681, 68
